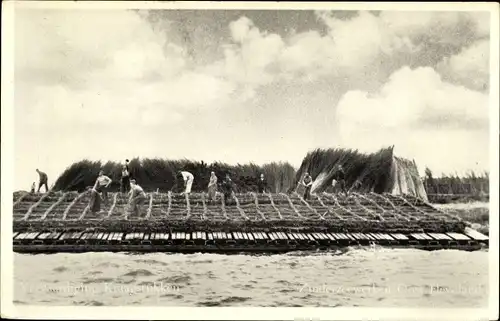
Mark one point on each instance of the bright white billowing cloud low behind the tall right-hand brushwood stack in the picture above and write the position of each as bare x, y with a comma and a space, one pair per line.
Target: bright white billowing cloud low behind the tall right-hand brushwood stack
439, 124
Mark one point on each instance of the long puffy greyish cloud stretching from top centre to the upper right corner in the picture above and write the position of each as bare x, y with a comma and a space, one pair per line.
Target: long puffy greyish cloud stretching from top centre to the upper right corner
387, 40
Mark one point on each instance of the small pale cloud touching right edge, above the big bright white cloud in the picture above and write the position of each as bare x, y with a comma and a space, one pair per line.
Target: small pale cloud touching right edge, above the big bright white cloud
470, 66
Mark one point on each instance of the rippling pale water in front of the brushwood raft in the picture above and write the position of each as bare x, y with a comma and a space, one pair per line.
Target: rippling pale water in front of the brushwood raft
358, 277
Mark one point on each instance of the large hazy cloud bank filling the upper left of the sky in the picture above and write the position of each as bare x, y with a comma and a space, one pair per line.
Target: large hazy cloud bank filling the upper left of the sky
76, 65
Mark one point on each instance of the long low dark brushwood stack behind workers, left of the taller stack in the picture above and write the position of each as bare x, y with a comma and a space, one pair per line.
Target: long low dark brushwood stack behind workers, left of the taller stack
162, 174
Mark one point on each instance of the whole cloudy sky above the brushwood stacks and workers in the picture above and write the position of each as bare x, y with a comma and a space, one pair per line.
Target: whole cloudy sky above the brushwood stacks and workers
248, 86
